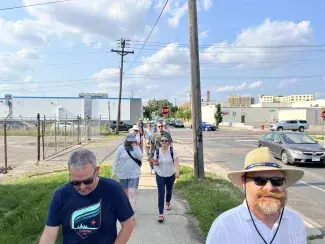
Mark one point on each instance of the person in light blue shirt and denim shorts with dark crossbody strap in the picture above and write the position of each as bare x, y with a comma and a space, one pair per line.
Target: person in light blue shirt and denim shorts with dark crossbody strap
126, 166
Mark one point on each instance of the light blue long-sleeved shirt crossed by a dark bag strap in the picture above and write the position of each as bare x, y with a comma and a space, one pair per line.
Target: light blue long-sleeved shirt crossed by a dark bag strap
124, 165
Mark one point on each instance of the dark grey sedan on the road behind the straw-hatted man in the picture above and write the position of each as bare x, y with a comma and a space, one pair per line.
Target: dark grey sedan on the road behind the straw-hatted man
293, 147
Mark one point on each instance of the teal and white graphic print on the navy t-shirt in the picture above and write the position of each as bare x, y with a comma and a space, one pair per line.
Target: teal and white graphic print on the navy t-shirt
87, 220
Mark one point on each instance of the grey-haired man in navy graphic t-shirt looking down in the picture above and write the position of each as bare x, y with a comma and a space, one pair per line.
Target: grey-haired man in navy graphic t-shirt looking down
88, 207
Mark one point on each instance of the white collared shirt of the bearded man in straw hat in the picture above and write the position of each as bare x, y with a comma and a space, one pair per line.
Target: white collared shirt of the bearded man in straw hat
235, 226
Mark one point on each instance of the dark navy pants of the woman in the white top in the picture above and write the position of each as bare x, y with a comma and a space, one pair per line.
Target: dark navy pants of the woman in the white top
163, 182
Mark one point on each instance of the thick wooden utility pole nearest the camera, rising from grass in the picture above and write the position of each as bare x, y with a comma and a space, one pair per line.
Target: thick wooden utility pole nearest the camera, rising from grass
195, 92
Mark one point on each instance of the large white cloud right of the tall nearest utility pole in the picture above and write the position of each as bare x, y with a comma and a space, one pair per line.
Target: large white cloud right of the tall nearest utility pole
256, 40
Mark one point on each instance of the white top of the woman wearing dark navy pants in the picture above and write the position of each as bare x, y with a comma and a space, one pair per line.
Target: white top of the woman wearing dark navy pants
166, 166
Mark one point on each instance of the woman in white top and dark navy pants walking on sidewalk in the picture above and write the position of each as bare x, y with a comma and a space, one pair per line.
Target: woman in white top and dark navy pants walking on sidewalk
166, 166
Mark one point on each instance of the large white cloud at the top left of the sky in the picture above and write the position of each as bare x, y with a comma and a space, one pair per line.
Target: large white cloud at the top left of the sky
93, 22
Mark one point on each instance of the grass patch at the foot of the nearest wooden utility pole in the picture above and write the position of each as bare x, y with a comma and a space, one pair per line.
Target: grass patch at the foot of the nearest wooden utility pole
207, 198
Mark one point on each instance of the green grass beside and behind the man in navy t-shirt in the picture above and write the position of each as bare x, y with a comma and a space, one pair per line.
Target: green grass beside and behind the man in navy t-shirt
24, 203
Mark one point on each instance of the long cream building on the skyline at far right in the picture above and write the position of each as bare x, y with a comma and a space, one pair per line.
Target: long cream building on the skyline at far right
286, 99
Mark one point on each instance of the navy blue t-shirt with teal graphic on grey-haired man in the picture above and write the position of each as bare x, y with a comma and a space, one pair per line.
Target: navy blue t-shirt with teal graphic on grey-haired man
91, 218
